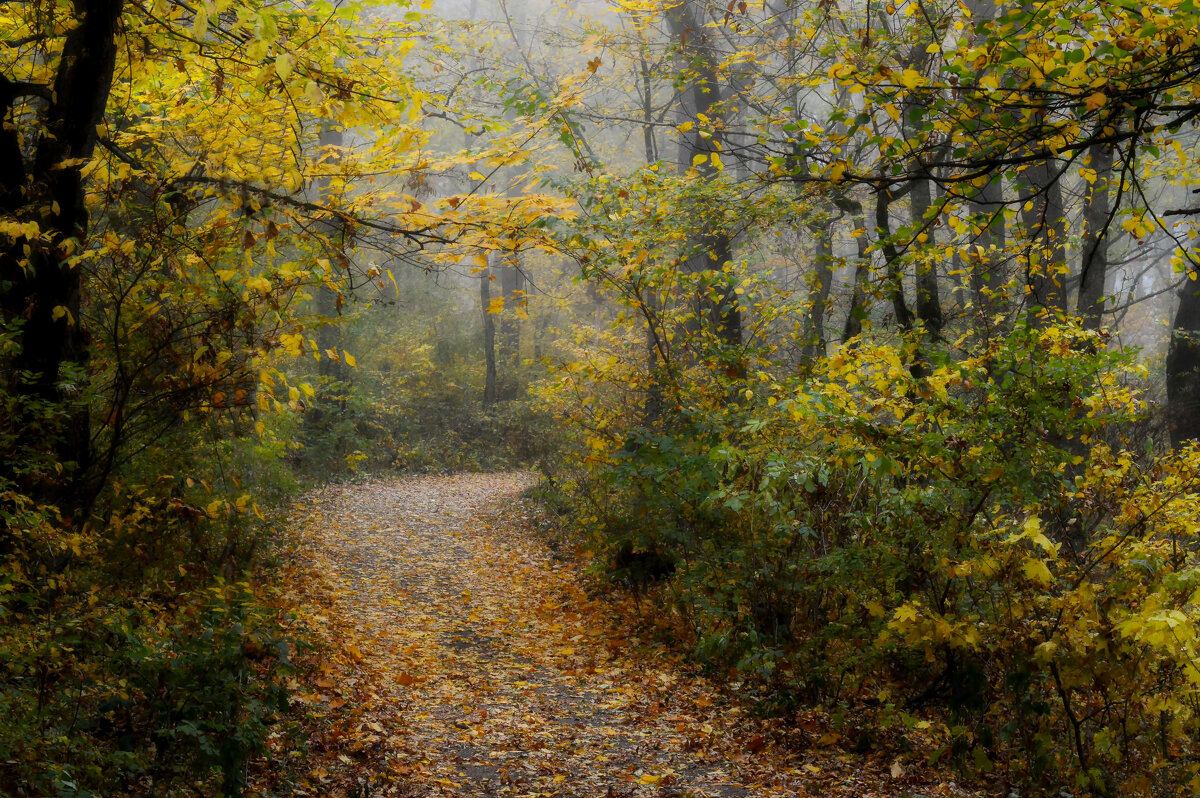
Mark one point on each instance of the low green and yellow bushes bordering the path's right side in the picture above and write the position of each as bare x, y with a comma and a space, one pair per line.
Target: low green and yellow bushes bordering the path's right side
983, 541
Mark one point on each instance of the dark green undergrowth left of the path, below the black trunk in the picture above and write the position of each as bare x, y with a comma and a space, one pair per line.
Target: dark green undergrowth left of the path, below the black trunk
139, 649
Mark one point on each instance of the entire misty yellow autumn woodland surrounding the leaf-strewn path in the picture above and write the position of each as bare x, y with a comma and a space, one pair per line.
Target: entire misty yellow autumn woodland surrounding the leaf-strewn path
835, 302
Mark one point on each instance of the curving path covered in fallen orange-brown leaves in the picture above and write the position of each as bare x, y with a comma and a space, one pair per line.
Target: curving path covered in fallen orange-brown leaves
464, 657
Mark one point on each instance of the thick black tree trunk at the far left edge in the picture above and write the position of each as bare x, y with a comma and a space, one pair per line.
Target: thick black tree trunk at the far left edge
40, 280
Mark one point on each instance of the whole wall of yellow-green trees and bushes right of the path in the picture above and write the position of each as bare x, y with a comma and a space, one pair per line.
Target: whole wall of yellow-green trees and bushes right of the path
963, 508
